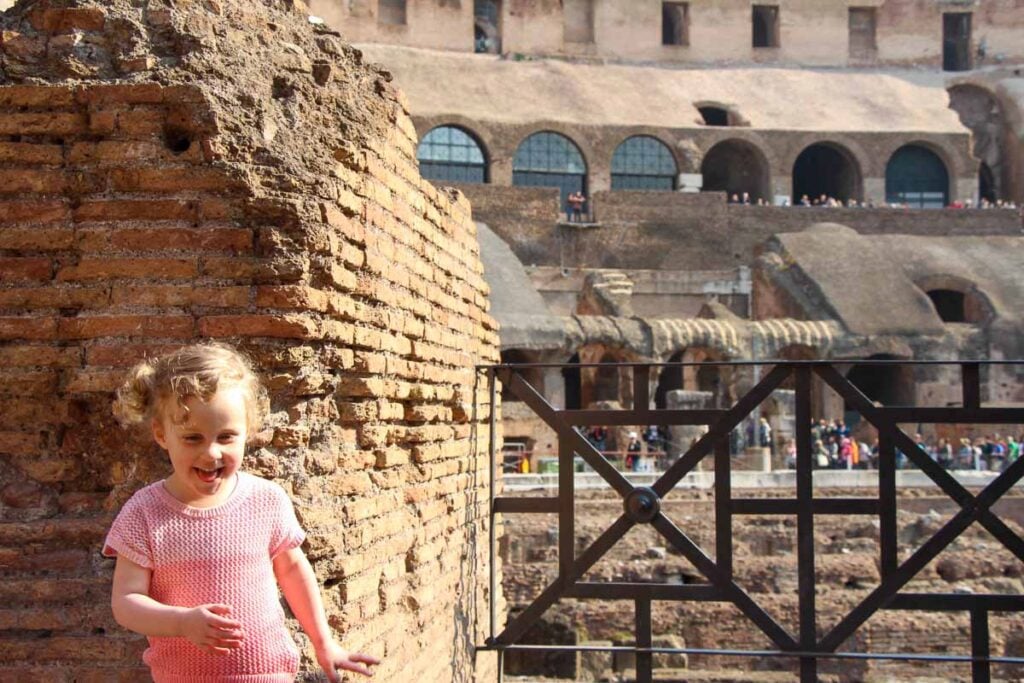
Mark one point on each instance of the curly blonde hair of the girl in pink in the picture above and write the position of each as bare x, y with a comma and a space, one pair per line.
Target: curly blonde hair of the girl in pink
195, 371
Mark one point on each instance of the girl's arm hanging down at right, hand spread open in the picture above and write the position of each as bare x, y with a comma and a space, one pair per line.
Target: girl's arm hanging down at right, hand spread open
298, 583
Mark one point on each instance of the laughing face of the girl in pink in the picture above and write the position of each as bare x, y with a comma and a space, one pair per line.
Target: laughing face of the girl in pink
206, 447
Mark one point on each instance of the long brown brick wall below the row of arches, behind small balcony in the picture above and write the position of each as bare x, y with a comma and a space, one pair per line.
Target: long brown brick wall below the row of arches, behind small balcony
689, 232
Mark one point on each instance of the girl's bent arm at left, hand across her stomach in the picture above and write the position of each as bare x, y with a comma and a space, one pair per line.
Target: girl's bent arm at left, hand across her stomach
206, 626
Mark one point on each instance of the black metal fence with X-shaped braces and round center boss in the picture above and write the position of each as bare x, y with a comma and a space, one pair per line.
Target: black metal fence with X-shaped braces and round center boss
643, 505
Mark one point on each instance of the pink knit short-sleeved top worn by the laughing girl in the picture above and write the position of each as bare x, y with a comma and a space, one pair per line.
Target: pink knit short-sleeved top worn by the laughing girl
216, 556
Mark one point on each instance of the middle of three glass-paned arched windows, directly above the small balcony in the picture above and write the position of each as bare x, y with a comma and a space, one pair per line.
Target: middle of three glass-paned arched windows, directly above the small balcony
550, 160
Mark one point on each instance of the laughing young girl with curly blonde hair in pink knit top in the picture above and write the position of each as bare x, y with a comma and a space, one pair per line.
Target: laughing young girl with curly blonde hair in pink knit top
201, 553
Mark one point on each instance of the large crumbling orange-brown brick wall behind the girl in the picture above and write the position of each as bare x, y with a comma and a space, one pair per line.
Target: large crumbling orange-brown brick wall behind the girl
228, 170
